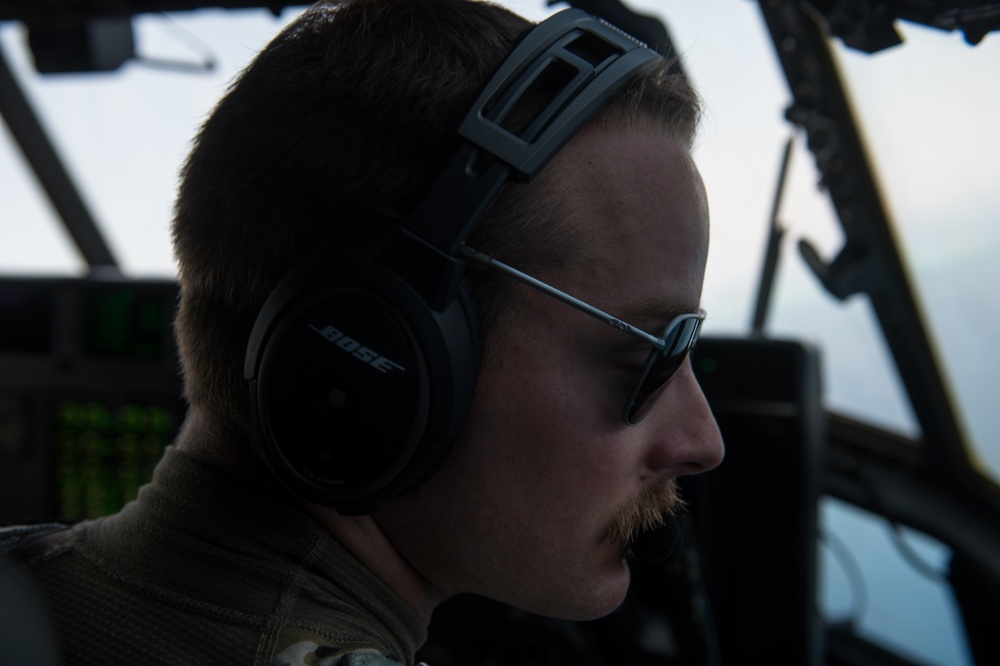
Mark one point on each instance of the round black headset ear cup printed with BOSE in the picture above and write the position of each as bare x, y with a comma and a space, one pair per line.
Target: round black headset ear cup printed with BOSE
357, 387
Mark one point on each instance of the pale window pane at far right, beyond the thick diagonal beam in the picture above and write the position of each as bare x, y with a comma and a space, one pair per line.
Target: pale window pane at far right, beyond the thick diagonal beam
928, 110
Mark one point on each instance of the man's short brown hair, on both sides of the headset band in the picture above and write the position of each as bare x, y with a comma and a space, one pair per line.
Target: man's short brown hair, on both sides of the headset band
351, 111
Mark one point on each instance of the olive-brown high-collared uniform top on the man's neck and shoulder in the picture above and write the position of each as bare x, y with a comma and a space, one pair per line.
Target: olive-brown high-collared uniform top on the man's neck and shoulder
201, 569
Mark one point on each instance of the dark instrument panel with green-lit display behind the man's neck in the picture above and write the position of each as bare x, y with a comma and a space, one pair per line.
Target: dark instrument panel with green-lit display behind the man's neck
90, 393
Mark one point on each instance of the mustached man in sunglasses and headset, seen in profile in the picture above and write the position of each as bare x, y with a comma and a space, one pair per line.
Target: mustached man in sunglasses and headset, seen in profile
562, 435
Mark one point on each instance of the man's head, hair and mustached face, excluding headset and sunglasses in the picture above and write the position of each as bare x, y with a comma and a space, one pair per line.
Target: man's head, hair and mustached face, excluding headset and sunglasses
352, 111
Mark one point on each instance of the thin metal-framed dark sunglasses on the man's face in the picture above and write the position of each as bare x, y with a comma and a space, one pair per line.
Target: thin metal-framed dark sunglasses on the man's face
669, 349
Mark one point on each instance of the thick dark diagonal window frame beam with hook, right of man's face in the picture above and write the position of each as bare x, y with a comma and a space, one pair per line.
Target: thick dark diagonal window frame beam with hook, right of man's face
869, 262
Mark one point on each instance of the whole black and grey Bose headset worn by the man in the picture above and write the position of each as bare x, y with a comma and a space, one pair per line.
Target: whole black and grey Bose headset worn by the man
362, 363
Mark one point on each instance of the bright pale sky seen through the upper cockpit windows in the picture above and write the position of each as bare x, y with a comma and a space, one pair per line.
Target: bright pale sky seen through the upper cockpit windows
929, 110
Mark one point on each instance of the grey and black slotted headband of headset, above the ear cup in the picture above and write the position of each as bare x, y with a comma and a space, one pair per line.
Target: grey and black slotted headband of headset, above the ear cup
574, 63
